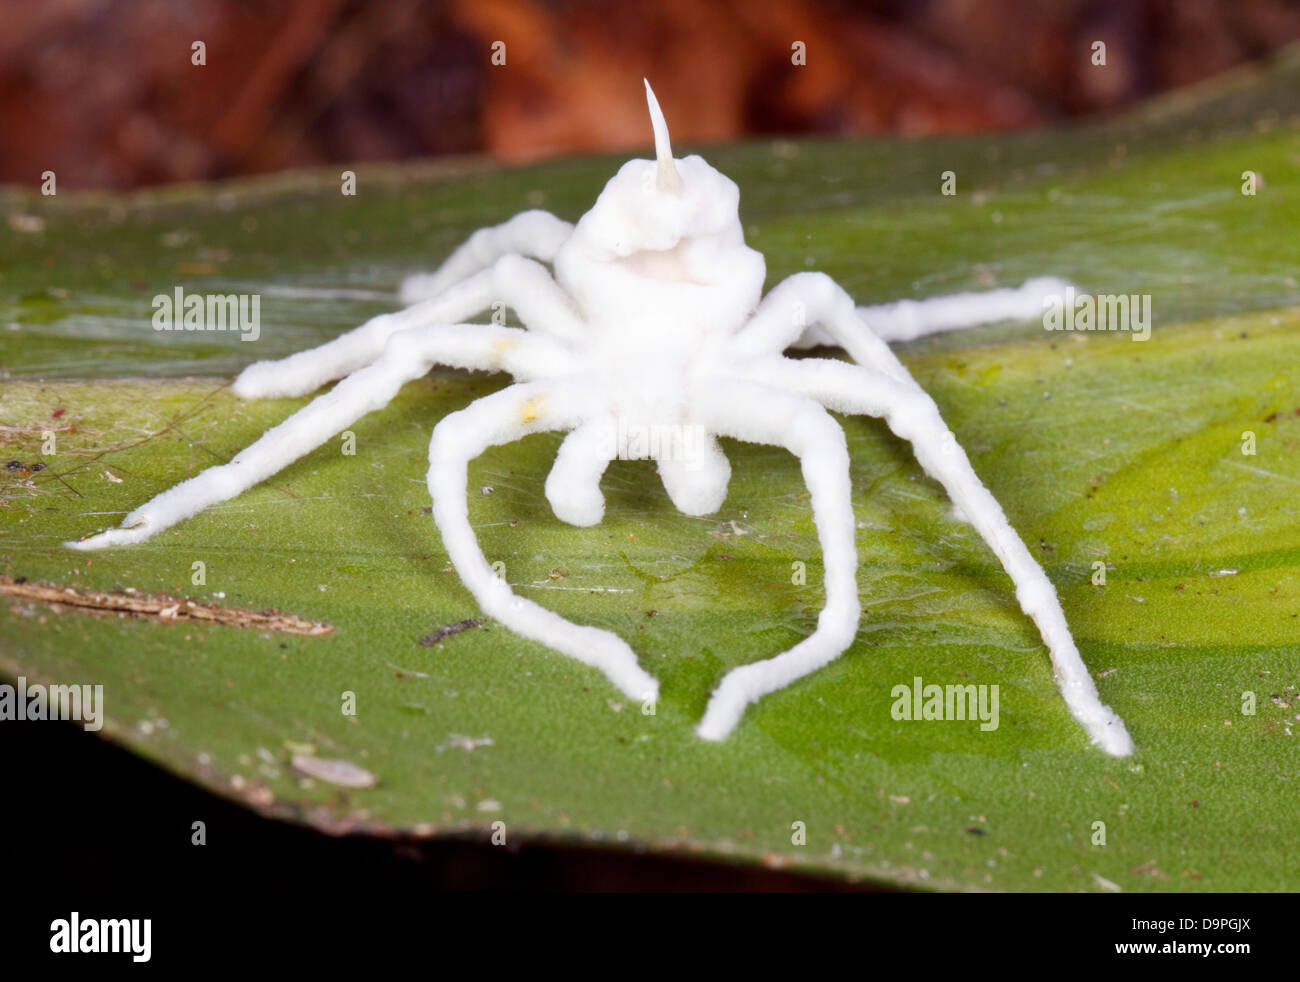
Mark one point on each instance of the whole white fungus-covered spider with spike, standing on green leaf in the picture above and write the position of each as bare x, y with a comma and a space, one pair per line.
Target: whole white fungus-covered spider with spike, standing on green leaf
655, 318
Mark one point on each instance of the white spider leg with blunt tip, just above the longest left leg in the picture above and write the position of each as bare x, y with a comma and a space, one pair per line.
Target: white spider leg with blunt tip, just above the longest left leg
522, 284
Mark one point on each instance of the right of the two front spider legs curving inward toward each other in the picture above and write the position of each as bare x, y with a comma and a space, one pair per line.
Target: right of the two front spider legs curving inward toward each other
760, 414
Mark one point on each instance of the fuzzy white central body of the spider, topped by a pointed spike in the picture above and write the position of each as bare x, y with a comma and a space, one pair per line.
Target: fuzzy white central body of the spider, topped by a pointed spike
664, 282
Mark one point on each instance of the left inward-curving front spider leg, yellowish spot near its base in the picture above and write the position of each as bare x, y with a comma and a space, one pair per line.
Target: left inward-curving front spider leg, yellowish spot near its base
461, 438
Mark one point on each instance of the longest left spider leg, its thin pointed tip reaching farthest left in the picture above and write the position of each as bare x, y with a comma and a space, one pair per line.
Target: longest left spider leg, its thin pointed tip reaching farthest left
406, 357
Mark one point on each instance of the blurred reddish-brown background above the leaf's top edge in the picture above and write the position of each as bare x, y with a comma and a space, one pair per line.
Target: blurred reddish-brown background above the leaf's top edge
106, 94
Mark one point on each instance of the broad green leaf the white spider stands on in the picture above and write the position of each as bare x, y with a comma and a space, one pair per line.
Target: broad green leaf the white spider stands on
1100, 449
